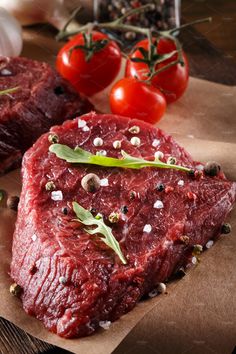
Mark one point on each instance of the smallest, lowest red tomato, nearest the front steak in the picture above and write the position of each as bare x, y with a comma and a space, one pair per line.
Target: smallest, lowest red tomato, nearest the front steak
135, 99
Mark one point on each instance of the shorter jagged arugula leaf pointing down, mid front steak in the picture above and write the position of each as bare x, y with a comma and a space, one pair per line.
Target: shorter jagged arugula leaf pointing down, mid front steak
86, 218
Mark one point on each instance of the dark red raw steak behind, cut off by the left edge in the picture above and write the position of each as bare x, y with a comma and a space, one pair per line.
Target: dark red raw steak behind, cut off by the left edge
43, 99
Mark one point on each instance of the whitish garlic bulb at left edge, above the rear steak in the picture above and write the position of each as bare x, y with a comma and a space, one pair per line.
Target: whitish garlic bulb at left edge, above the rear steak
10, 35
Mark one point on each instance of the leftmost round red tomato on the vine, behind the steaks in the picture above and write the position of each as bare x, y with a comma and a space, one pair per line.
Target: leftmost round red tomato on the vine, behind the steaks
89, 77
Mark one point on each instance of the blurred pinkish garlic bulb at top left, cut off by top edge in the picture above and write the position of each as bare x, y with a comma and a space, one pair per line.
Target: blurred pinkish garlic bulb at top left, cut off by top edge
40, 11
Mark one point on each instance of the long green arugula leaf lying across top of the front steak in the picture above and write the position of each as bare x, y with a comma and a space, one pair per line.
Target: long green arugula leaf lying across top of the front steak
79, 155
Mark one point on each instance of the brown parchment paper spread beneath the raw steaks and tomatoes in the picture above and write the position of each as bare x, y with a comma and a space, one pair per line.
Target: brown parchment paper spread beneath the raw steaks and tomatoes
194, 314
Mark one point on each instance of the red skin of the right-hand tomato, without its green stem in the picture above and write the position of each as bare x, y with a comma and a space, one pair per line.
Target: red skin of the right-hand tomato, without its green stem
172, 81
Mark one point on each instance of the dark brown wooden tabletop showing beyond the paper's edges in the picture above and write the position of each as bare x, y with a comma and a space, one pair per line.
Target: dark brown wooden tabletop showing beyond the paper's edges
206, 62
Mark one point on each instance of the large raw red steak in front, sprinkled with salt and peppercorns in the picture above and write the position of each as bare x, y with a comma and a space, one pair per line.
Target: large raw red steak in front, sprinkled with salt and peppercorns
72, 281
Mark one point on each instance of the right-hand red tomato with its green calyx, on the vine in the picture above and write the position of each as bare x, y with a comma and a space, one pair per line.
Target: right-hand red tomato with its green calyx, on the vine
172, 81
